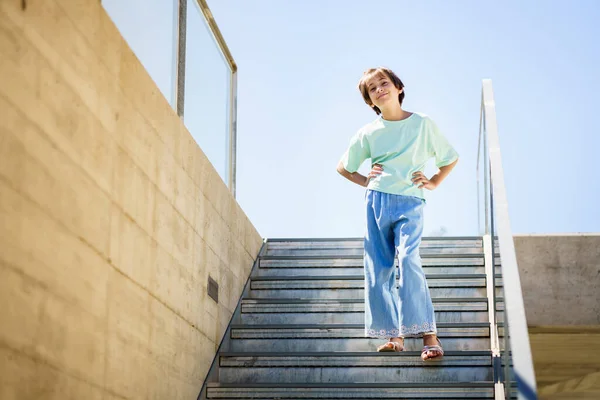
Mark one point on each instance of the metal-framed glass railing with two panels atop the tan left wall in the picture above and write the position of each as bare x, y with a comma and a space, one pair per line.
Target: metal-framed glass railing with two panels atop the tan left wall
181, 47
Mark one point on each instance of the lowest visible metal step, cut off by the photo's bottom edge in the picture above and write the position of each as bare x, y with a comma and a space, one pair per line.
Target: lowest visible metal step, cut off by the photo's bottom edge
374, 391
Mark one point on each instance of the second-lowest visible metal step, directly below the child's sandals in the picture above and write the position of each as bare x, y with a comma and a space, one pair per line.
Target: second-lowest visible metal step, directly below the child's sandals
353, 367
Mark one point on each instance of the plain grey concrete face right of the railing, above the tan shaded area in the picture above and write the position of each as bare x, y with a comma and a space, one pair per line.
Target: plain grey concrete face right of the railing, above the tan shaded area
560, 276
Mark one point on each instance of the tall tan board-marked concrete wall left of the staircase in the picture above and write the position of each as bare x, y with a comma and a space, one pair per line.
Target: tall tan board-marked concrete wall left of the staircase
111, 219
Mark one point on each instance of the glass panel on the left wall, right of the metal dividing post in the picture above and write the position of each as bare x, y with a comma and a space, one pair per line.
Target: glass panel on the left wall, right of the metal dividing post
207, 91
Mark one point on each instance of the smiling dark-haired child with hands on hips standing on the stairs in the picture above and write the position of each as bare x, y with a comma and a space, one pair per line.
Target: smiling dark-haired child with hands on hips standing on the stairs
399, 144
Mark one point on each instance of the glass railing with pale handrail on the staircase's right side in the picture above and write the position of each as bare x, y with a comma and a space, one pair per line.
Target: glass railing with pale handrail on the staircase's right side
511, 355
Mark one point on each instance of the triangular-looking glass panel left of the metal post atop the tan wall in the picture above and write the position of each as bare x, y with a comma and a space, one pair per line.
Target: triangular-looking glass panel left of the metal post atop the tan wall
150, 29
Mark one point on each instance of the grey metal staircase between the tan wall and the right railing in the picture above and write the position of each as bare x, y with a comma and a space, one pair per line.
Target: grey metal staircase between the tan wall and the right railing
297, 332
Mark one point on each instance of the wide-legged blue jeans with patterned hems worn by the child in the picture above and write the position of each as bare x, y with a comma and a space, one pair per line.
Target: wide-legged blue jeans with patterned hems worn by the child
394, 227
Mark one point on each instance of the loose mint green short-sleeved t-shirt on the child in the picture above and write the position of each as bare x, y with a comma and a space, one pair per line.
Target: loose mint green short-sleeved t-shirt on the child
402, 148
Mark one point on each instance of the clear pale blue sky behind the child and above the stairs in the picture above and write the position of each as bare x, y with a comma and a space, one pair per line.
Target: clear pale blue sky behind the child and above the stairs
299, 63
